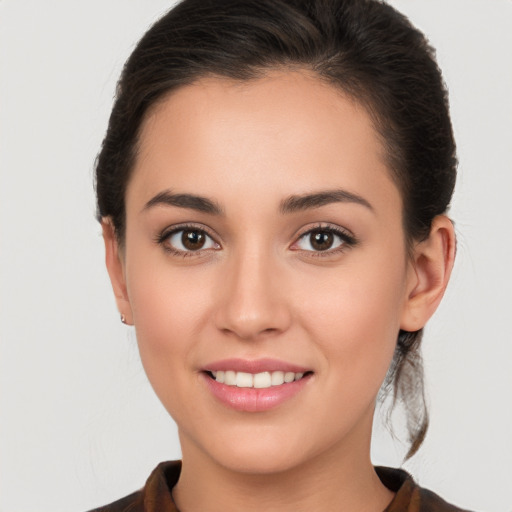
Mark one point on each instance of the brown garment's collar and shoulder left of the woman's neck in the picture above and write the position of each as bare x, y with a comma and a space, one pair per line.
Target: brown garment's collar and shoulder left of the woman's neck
154, 496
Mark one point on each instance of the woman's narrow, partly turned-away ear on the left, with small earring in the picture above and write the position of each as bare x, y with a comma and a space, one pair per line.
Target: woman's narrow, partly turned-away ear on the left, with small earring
116, 270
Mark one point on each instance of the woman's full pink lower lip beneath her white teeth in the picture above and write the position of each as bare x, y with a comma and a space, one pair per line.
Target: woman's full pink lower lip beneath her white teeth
252, 399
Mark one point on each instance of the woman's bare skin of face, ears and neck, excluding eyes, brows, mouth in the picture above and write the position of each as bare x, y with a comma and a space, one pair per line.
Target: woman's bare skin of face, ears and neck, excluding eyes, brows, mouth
259, 289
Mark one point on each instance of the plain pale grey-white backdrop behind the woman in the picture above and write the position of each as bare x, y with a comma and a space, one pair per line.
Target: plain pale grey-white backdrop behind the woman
79, 423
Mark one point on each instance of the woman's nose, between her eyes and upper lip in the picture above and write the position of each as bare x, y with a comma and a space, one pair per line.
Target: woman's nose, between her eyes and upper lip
252, 300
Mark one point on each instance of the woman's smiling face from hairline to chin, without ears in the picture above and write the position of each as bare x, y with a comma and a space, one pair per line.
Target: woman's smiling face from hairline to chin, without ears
264, 243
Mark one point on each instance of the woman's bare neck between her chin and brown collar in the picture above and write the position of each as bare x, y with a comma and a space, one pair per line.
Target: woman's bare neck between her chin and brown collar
341, 479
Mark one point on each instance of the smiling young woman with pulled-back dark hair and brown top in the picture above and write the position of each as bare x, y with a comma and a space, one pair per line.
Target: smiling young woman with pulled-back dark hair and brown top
272, 190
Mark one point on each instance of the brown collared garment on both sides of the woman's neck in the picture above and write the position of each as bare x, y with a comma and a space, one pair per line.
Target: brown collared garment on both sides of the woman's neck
156, 495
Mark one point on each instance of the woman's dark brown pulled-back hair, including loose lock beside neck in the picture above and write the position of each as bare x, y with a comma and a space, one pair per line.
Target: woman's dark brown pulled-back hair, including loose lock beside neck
364, 47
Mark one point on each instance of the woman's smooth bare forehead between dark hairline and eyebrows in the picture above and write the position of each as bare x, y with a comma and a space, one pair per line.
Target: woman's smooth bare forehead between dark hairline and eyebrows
284, 133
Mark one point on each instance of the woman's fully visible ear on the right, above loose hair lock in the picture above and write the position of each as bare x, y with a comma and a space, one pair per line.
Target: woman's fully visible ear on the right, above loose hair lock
430, 268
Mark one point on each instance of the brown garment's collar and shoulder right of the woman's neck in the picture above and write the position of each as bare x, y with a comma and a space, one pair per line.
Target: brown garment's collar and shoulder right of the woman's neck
410, 497
